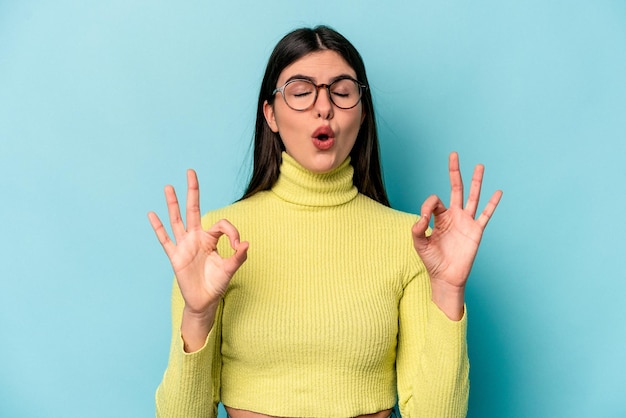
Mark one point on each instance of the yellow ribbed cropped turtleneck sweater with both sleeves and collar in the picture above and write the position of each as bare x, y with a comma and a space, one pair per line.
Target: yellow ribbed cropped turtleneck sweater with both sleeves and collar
330, 316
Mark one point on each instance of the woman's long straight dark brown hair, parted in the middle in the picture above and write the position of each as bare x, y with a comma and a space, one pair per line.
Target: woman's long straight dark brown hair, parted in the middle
268, 147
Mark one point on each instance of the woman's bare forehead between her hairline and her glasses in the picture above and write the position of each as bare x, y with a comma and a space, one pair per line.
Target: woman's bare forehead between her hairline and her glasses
321, 66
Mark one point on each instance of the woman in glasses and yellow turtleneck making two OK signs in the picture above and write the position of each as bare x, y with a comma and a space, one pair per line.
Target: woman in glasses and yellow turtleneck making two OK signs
335, 305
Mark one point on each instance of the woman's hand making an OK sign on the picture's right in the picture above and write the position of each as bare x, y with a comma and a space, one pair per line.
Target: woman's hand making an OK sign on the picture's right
449, 252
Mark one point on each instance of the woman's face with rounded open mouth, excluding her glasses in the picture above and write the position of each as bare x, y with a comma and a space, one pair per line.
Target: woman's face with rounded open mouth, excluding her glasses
321, 137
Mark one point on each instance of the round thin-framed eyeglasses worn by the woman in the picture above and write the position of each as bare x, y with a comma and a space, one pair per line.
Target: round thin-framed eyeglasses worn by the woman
301, 94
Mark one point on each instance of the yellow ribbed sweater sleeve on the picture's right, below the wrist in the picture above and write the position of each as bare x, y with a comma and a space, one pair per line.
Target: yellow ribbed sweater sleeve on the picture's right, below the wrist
432, 362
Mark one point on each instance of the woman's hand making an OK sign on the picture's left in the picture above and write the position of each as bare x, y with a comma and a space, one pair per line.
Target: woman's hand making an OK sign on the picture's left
202, 274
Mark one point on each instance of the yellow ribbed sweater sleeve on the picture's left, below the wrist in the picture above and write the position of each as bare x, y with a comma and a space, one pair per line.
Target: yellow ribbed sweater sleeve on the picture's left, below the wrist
191, 383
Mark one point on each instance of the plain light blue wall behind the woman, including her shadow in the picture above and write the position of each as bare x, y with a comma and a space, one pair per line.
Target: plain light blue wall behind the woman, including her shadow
103, 103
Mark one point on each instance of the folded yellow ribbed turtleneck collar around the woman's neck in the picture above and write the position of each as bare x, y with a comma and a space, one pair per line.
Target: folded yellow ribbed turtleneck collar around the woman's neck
300, 186
